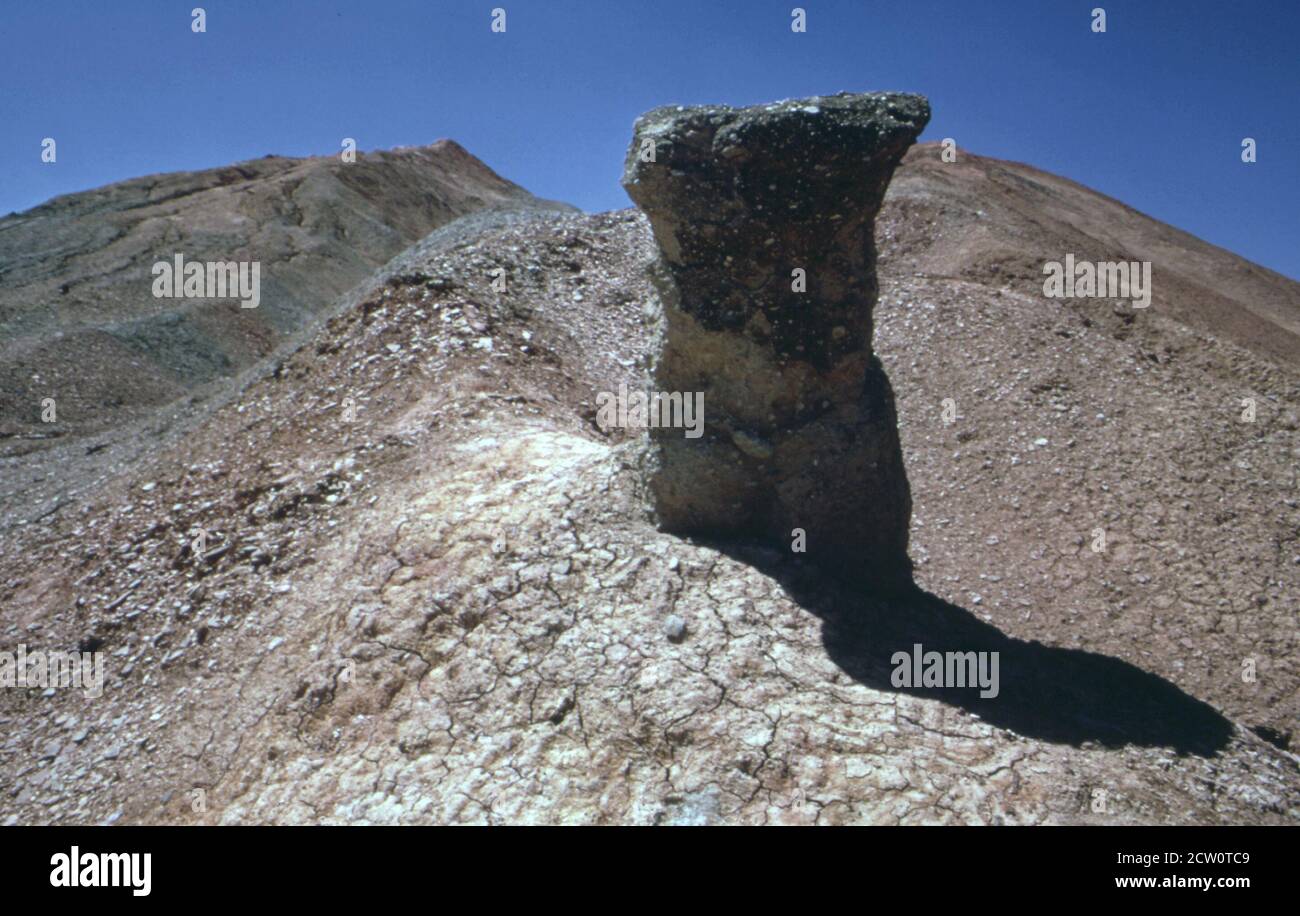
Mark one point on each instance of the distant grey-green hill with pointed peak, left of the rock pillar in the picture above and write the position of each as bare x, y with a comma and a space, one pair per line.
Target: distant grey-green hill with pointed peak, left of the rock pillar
79, 320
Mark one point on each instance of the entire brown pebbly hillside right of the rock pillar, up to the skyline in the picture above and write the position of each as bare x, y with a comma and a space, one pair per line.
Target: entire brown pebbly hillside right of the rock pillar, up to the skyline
1142, 414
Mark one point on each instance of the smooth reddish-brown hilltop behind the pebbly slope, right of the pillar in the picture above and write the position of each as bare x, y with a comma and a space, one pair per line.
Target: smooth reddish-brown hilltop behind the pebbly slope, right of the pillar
1004, 220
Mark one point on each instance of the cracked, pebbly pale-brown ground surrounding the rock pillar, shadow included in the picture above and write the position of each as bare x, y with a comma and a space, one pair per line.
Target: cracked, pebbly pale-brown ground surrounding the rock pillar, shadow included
456, 609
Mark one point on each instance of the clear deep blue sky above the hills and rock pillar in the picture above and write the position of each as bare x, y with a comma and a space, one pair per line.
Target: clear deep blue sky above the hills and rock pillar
1152, 112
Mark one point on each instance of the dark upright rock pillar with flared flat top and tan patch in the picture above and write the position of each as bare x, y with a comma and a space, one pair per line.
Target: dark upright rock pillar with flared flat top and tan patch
765, 220
